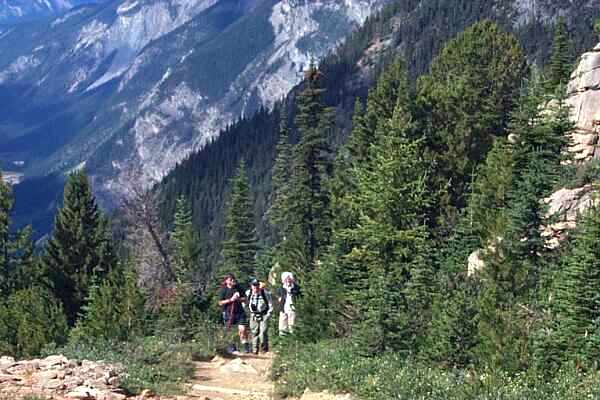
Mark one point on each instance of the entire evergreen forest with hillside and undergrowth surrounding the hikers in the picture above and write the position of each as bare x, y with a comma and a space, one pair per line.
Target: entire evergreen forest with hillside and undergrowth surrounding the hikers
374, 182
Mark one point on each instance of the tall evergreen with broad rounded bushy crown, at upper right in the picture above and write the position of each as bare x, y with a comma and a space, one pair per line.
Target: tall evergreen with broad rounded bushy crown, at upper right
464, 103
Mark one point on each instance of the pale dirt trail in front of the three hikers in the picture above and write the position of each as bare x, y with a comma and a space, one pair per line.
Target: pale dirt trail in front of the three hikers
244, 376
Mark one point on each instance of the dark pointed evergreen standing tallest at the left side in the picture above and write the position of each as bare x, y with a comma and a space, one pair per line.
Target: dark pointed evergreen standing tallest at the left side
80, 247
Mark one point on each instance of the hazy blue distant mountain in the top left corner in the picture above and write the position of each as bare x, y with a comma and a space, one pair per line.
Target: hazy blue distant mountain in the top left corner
12, 11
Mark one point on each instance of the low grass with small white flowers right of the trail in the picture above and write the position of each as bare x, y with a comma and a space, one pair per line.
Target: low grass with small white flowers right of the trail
334, 366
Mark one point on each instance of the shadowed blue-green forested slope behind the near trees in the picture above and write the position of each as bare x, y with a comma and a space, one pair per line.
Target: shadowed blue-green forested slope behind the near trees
412, 30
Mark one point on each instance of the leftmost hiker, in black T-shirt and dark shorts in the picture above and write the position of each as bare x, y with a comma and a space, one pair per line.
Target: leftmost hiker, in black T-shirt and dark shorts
231, 300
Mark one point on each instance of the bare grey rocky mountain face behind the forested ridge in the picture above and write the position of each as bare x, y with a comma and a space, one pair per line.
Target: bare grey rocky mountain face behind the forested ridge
129, 88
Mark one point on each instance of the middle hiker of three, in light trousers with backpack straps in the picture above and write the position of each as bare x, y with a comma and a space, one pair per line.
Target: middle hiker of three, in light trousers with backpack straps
260, 304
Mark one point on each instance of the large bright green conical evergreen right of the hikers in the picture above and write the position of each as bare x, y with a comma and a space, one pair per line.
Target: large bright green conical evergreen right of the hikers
391, 241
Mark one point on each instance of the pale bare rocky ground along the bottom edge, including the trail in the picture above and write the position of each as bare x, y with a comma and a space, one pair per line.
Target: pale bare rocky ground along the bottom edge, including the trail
56, 377
